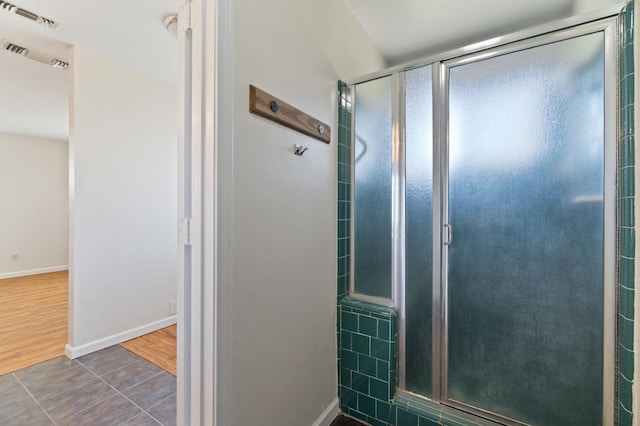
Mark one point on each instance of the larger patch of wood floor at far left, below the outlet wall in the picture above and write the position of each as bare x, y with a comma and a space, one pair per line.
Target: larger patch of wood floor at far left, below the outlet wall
33, 319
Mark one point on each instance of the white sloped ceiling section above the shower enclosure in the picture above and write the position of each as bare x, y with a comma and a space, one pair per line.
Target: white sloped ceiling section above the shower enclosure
406, 29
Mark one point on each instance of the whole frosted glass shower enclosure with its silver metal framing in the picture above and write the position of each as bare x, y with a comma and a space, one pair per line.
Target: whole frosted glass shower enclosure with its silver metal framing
484, 211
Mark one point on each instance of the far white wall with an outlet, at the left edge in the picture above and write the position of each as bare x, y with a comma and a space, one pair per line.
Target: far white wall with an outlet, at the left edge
34, 176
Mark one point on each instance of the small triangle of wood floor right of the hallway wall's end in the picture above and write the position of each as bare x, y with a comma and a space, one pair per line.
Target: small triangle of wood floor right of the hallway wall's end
158, 347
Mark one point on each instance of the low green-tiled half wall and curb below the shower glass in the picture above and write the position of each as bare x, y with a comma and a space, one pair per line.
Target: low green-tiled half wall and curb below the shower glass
367, 372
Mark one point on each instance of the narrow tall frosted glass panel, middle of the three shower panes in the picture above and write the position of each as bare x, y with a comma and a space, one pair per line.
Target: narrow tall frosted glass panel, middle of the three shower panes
418, 229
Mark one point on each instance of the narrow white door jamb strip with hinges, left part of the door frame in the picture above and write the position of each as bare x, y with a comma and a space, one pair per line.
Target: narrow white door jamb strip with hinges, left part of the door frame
189, 226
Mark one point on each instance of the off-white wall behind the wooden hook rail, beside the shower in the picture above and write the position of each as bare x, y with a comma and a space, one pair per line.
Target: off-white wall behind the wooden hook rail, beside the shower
280, 304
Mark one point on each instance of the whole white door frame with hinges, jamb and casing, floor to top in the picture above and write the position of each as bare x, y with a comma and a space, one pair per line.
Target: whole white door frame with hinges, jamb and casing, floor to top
204, 203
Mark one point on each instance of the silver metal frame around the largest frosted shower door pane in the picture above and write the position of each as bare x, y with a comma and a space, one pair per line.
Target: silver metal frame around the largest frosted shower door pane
441, 144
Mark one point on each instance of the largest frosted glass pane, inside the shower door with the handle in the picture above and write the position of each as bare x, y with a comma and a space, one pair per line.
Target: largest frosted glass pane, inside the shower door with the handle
526, 206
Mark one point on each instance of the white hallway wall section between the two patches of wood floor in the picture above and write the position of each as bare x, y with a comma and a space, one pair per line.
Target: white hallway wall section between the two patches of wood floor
123, 137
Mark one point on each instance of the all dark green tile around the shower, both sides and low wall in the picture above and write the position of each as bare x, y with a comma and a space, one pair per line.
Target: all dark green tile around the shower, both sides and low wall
367, 333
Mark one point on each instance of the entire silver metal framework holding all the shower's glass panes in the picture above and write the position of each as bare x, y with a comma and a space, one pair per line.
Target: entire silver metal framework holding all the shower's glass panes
605, 20
